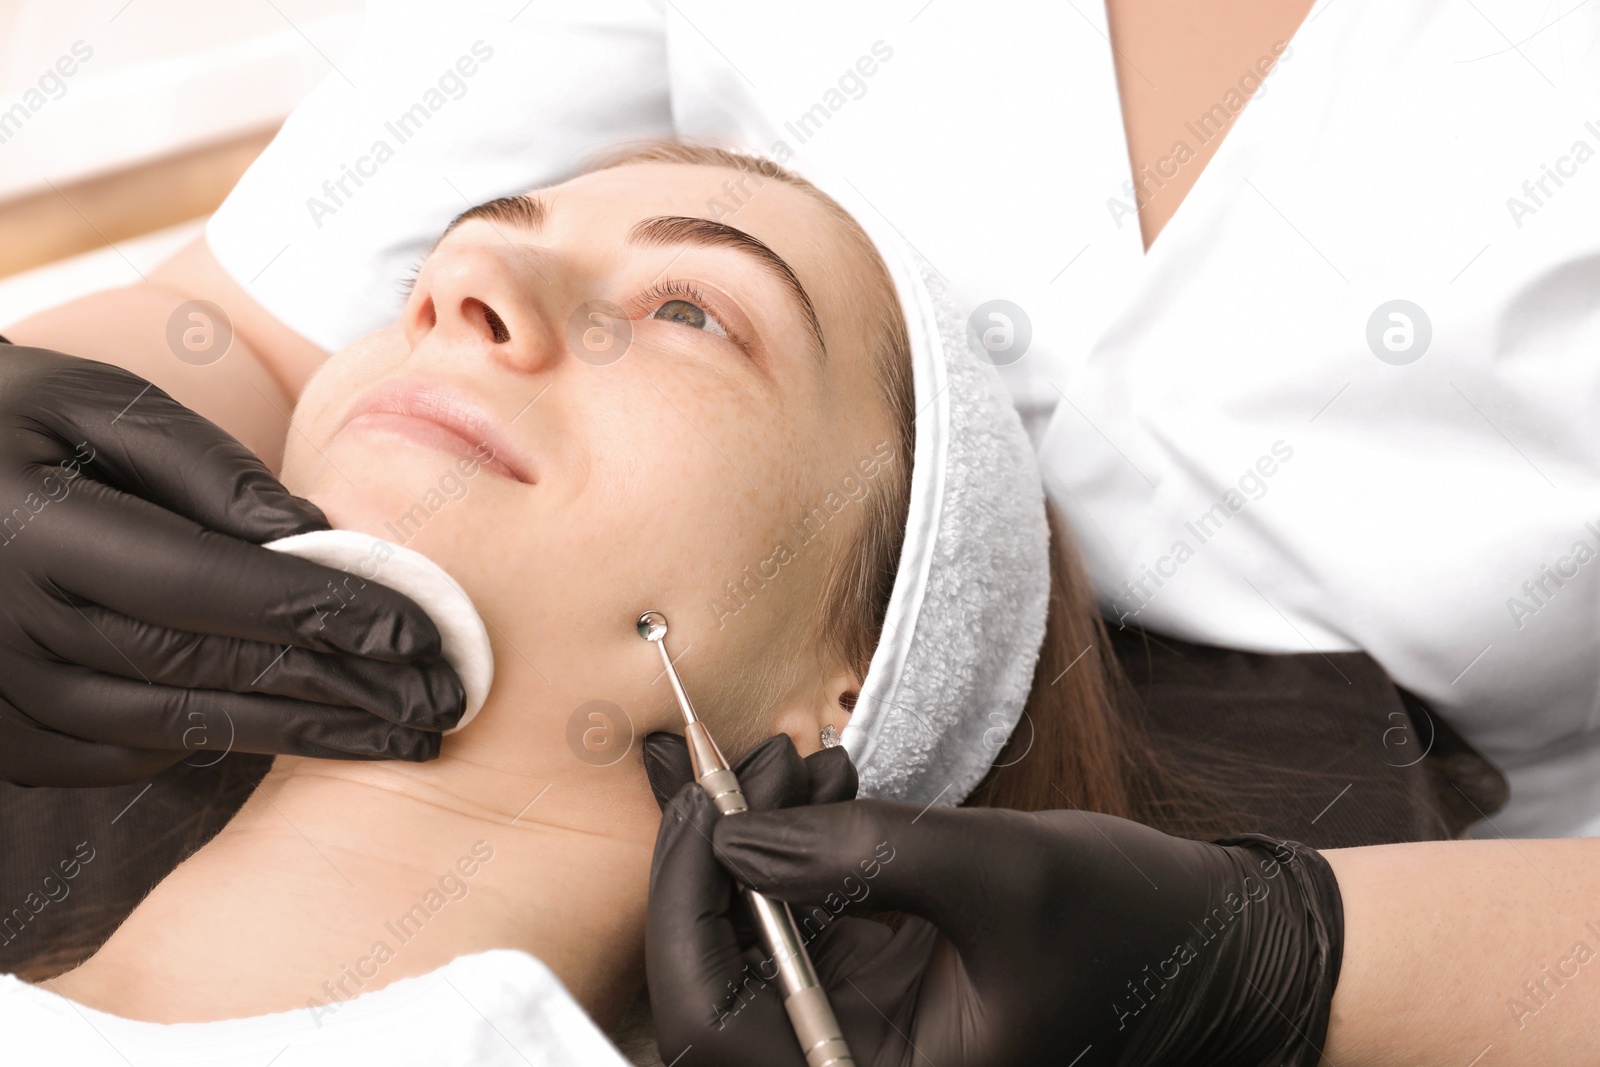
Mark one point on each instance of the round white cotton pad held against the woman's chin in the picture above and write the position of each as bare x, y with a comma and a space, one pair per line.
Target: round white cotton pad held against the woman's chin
465, 642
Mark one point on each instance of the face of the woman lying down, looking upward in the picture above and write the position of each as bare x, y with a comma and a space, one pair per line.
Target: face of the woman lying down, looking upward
614, 401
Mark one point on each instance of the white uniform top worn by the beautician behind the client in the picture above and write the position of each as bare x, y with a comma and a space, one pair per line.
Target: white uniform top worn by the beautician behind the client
1346, 402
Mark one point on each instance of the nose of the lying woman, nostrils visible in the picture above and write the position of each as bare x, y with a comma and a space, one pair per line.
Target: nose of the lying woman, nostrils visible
482, 300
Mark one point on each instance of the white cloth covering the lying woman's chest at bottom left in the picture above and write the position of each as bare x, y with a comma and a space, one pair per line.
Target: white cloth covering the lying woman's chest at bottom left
490, 1009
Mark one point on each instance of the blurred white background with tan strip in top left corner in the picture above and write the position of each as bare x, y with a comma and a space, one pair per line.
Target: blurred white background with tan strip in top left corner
108, 170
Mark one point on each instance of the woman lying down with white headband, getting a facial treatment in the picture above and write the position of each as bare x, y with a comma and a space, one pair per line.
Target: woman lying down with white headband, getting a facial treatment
735, 449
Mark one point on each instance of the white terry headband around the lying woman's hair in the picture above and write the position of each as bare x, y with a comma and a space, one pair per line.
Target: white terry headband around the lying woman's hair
967, 617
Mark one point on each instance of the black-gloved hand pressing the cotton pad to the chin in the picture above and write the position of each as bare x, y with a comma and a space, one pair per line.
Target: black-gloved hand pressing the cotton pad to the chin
138, 620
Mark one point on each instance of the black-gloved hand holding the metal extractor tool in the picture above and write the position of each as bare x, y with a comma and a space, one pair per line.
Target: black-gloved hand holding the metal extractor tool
1030, 938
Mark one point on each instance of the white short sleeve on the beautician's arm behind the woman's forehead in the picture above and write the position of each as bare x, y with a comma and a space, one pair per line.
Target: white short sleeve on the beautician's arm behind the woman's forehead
436, 108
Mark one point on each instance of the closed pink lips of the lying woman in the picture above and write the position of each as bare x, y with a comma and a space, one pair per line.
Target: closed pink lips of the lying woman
444, 420
